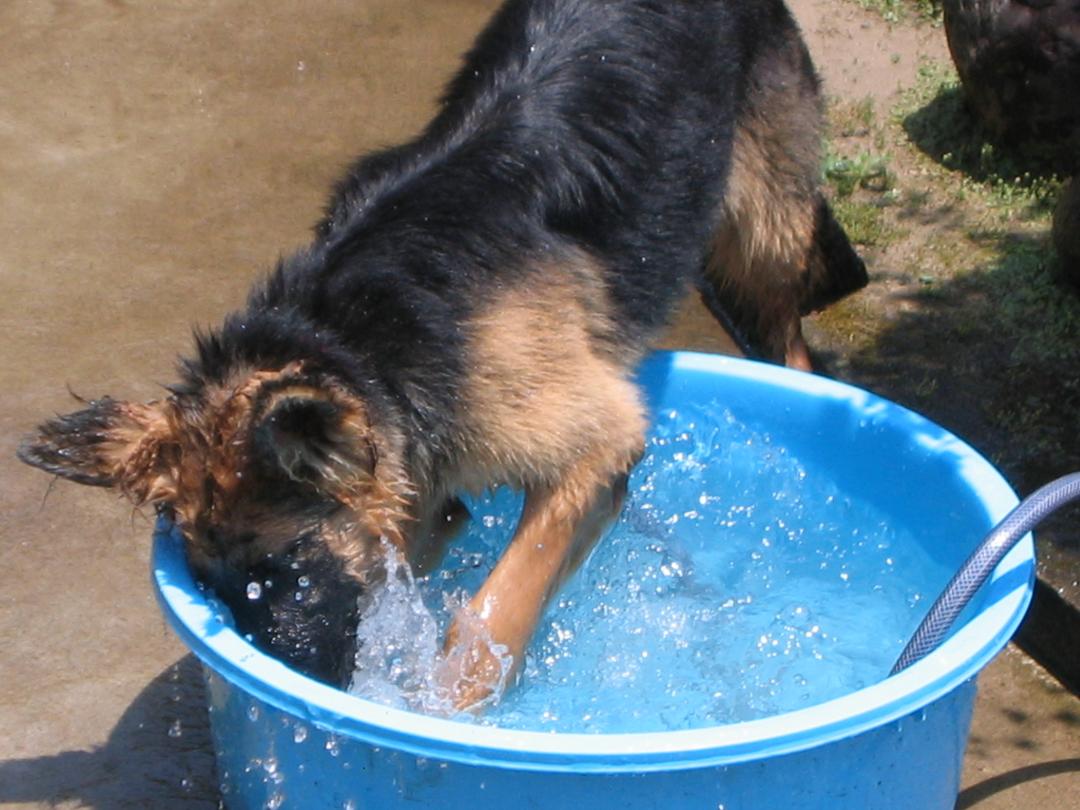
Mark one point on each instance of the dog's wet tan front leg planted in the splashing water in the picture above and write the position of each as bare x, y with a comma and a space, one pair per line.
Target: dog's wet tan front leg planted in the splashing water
559, 526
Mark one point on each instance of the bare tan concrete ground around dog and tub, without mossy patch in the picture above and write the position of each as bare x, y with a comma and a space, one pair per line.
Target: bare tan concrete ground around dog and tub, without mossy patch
155, 158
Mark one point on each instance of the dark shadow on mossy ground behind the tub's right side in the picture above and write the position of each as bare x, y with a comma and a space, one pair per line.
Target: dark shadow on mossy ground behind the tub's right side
994, 356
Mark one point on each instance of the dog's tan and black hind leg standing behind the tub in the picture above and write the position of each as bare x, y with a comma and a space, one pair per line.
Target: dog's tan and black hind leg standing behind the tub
778, 252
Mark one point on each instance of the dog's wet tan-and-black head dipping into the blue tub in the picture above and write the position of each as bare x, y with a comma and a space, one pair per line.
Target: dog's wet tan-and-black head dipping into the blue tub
282, 488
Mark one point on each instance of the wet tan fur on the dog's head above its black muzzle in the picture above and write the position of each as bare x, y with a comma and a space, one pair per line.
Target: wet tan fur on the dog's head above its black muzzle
197, 458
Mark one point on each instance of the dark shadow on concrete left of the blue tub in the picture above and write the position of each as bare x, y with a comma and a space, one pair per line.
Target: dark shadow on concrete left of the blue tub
159, 755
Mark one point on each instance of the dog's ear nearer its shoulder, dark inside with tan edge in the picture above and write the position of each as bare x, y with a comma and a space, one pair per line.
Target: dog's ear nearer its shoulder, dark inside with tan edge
319, 438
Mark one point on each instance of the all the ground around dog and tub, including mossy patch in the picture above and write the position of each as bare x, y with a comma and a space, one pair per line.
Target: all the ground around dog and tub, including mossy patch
157, 158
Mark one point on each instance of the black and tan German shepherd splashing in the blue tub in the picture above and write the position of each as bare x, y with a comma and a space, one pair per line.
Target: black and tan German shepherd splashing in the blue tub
470, 314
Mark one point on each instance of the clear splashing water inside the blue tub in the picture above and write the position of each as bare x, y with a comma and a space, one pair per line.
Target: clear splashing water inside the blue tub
739, 583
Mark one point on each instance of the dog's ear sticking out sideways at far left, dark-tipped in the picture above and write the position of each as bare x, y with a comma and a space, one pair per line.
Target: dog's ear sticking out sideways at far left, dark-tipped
130, 447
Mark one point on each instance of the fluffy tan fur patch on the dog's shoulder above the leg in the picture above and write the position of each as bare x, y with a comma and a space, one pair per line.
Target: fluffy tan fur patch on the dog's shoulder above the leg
545, 387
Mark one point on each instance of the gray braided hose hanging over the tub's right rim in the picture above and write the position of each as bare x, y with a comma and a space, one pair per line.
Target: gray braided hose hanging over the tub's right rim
1029, 515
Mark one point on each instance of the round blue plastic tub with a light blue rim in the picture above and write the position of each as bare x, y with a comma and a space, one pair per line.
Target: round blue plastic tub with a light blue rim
283, 740
